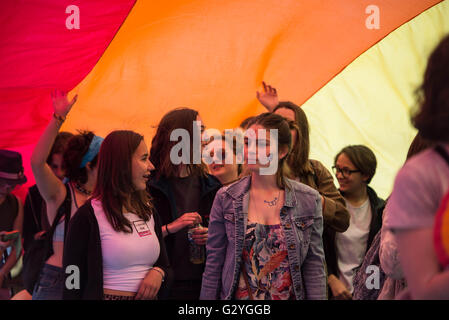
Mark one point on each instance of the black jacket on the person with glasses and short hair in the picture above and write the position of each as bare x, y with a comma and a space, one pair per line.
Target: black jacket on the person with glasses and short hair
377, 206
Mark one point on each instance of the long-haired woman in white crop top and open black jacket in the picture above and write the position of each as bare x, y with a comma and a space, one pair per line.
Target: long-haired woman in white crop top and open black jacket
119, 227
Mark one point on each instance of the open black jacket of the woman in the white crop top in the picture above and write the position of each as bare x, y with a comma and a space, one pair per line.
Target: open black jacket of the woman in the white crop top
82, 248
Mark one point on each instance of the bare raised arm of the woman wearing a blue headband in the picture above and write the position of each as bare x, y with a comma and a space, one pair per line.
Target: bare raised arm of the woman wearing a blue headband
50, 187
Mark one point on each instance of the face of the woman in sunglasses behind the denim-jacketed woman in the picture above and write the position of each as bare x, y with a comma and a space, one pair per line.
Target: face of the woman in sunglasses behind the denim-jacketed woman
224, 165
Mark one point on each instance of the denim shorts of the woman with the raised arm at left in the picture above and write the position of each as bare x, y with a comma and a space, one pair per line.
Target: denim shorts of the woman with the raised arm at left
50, 285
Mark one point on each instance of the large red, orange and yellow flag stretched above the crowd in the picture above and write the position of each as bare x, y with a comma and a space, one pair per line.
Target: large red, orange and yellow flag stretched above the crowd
352, 65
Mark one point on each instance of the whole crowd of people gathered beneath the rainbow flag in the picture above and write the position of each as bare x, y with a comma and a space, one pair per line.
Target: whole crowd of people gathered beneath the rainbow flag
136, 224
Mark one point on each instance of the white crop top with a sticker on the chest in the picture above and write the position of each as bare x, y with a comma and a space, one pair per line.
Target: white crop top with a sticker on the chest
127, 257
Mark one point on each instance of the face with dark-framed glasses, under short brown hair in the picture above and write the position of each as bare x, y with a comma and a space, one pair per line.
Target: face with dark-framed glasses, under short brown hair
351, 182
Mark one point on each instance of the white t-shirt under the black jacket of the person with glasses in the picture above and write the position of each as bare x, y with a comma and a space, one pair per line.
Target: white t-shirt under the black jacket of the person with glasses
351, 244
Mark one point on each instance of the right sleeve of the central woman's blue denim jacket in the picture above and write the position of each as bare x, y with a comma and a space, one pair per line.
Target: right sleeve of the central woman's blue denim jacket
313, 267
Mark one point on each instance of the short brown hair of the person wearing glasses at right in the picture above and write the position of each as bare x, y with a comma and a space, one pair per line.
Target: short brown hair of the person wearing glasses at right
363, 159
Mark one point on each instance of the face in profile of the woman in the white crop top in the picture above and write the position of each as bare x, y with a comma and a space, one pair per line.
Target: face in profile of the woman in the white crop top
141, 167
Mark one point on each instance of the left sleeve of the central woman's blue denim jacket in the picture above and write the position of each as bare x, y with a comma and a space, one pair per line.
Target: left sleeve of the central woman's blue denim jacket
215, 251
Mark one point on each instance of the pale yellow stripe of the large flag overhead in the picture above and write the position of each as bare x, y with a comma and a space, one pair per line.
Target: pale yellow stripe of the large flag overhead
371, 100
